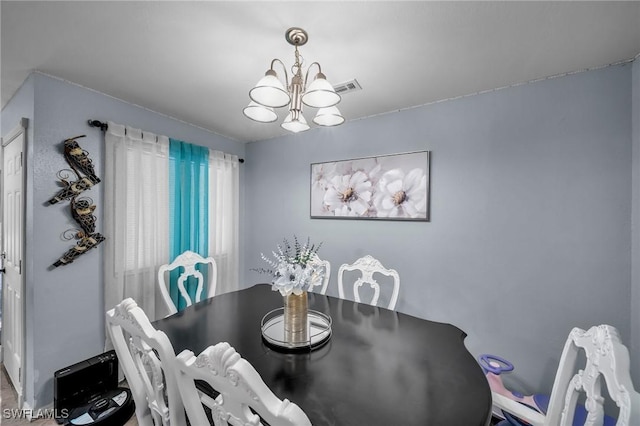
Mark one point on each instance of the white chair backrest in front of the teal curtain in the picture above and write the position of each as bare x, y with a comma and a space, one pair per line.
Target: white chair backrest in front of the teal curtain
188, 261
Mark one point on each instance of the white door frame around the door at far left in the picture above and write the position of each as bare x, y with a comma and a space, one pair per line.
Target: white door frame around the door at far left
20, 129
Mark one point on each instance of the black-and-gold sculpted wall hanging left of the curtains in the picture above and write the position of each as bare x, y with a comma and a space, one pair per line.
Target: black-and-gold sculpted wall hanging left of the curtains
82, 208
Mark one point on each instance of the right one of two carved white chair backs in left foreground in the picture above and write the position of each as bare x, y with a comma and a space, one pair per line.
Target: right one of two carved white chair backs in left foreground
242, 392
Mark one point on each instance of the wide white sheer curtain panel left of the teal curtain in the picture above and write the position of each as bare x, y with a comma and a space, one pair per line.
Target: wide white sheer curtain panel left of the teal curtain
136, 216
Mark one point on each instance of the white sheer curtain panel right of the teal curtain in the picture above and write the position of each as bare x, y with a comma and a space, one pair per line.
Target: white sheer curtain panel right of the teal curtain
223, 218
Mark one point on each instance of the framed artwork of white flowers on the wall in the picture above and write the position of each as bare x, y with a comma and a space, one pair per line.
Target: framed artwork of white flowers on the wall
389, 187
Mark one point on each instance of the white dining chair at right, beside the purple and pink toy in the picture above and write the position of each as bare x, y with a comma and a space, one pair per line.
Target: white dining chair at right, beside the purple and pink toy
607, 360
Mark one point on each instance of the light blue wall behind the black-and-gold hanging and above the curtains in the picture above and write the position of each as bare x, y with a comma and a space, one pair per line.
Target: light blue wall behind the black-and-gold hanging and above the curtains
66, 304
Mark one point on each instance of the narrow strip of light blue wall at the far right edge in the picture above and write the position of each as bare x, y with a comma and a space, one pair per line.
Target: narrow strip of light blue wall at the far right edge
635, 226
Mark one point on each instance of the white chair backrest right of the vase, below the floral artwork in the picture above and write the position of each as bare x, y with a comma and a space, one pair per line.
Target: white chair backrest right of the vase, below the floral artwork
369, 265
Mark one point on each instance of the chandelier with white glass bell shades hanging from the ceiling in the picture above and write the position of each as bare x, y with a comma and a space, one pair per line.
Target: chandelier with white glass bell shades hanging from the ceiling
270, 93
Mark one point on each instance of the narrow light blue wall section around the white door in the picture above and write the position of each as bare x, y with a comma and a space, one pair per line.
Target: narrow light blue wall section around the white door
22, 106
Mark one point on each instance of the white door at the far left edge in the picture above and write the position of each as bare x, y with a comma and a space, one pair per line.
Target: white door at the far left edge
12, 281
